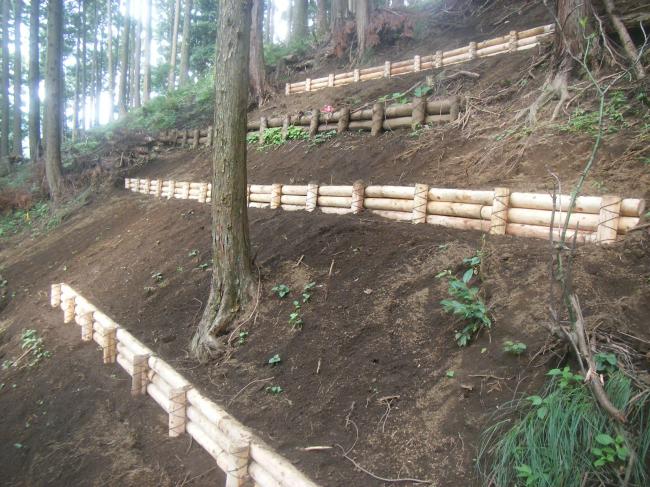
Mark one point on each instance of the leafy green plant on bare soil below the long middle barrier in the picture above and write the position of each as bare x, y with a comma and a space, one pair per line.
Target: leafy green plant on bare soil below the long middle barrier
467, 303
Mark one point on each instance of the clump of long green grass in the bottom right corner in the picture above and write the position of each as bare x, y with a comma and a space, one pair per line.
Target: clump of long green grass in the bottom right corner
563, 437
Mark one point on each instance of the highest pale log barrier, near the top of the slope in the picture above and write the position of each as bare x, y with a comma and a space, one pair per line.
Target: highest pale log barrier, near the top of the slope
514, 41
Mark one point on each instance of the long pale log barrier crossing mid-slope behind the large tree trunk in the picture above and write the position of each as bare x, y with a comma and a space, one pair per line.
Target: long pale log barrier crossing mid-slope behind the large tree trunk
595, 219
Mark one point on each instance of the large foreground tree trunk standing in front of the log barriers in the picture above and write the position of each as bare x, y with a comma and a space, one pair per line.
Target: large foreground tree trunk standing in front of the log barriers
232, 279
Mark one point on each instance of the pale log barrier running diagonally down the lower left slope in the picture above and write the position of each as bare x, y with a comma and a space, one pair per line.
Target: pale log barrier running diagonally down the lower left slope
239, 453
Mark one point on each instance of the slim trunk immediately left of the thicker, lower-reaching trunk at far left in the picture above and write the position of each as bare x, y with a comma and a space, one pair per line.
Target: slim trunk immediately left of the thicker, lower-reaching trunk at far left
34, 81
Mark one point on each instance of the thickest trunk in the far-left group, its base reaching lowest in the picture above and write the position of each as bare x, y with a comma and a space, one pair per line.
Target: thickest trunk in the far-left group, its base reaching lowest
54, 98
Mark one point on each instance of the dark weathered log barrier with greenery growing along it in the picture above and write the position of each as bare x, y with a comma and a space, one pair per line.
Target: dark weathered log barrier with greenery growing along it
377, 119
